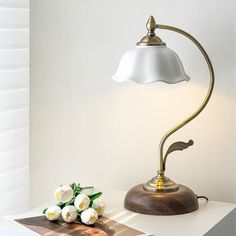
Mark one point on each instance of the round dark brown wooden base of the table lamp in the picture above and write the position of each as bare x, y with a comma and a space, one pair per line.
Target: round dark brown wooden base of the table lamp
178, 202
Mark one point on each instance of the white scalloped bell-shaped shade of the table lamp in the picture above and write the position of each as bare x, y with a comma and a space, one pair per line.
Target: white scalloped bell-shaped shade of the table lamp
147, 64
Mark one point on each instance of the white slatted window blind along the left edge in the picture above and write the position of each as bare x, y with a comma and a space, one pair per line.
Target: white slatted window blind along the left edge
14, 106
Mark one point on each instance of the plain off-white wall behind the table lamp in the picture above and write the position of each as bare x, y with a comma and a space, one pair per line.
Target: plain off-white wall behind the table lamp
90, 129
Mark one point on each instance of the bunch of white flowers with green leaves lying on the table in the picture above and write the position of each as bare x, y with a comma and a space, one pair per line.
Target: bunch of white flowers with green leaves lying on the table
74, 204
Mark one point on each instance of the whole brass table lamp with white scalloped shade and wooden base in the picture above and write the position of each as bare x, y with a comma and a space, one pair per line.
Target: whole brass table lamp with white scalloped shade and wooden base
152, 61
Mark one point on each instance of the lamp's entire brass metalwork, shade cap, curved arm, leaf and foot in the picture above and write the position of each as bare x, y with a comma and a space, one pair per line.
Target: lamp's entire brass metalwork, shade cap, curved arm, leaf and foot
161, 182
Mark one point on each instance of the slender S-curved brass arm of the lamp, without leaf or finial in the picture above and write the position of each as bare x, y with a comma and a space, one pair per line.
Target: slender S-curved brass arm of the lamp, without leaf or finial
204, 103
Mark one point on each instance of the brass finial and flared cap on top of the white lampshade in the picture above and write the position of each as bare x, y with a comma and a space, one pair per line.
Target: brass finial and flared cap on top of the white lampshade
151, 39
